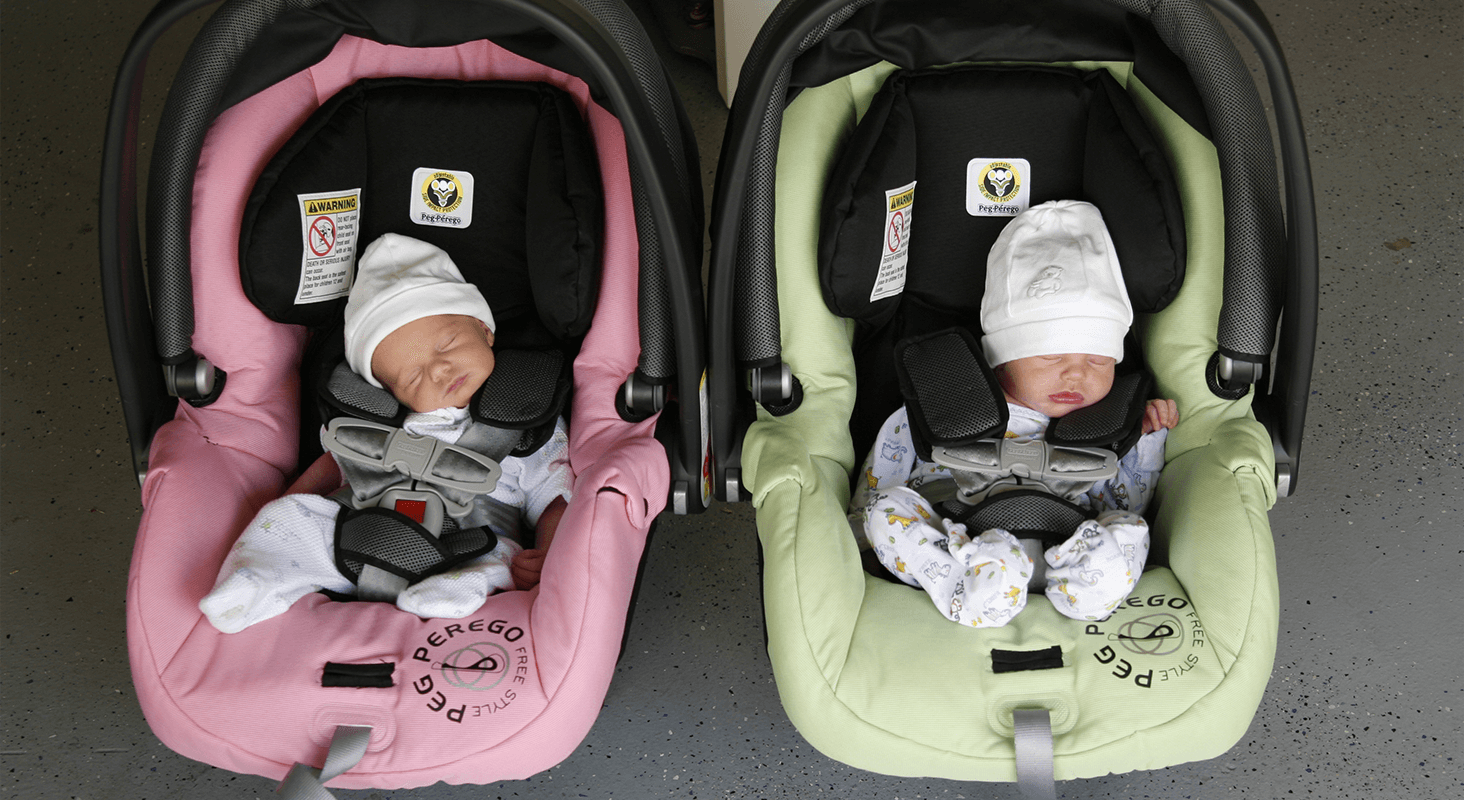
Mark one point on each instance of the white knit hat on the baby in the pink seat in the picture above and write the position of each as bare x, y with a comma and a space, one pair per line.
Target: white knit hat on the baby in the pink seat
402, 281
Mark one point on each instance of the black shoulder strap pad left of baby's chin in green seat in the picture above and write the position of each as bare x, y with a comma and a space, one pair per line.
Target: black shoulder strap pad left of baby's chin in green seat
952, 395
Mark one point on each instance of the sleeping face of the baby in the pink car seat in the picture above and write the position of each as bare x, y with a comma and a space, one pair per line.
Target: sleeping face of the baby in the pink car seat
436, 363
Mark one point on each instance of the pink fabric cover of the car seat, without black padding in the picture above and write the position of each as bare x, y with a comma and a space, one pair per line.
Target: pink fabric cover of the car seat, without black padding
254, 703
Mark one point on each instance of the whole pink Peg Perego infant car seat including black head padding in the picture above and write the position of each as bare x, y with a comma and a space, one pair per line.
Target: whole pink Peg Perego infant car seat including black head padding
254, 286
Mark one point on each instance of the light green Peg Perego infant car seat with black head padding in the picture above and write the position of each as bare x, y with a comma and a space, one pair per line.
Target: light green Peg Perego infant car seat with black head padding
867, 670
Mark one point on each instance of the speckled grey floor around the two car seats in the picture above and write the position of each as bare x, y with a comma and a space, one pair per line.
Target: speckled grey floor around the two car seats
1370, 550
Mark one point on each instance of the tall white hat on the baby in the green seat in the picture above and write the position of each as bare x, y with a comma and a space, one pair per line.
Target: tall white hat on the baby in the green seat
1053, 286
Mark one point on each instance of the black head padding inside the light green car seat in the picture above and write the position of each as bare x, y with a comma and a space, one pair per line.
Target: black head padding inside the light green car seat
1084, 140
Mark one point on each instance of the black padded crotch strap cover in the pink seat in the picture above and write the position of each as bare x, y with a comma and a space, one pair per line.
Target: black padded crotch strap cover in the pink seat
399, 546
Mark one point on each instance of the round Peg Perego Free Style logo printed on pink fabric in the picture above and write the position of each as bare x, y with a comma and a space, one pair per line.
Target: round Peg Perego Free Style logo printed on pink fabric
474, 669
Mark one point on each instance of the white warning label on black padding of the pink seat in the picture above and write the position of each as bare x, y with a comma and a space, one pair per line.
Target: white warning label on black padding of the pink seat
330, 223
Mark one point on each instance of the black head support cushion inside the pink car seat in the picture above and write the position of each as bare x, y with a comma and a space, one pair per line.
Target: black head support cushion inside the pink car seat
500, 175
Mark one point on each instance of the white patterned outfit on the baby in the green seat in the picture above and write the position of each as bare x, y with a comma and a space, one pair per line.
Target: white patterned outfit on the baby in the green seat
983, 581
